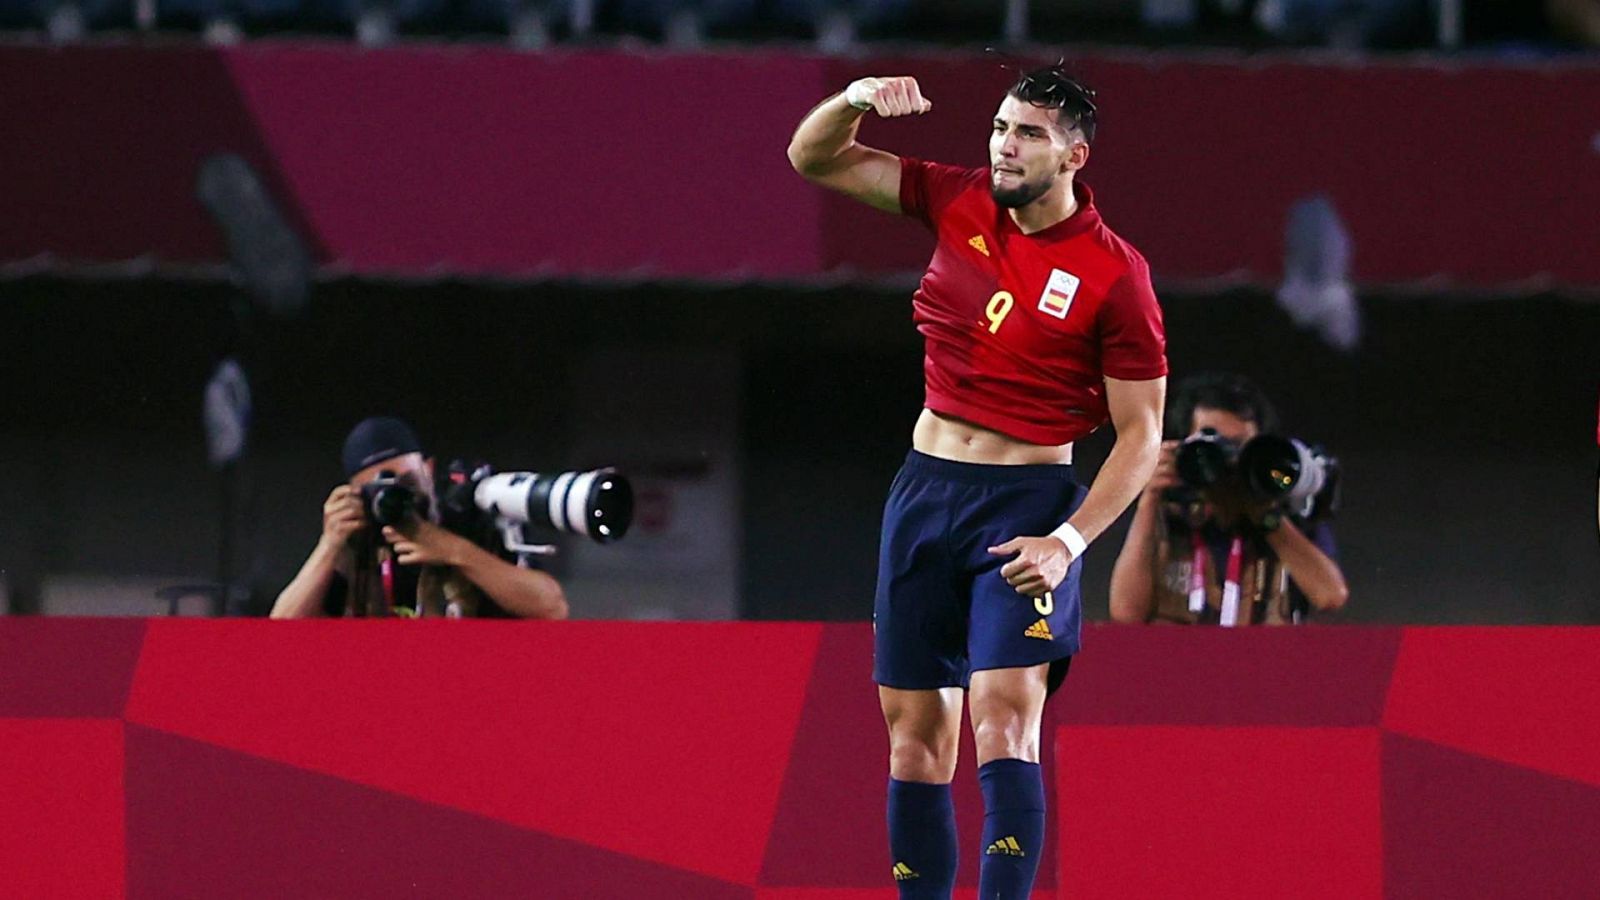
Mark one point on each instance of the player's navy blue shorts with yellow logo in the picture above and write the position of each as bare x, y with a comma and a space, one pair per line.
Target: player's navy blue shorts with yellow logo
942, 609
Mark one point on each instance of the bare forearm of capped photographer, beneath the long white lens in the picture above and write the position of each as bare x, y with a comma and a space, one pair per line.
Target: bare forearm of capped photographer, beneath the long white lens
526, 593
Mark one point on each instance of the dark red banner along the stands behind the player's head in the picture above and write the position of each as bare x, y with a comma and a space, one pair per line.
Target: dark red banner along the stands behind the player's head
489, 163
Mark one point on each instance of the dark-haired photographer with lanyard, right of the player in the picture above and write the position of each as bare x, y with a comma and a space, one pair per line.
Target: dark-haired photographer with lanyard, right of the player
1204, 555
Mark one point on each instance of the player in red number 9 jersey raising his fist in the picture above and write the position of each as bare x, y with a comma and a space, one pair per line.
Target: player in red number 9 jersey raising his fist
1041, 324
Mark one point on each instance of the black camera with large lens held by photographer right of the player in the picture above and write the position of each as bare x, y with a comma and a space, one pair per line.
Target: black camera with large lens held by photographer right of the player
1302, 480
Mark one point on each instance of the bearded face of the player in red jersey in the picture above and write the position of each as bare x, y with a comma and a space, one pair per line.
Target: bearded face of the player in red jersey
1030, 153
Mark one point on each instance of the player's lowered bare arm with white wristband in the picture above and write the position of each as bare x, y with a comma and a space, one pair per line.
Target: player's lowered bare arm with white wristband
1137, 414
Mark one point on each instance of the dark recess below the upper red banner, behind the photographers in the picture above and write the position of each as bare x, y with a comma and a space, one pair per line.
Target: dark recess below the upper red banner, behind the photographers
1466, 425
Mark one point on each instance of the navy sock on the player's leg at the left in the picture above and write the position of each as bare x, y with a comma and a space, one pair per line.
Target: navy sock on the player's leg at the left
922, 840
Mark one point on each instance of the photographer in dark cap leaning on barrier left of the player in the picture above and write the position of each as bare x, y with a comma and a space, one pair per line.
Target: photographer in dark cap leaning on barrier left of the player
414, 569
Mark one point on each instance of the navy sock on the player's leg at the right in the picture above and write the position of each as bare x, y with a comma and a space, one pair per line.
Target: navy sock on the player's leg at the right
1014, 829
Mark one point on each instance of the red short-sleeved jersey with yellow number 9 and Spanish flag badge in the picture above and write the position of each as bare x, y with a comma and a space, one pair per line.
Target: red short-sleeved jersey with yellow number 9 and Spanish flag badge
1023, 329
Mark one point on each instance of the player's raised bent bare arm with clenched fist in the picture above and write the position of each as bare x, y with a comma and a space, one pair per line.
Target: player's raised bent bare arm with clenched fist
825, 147
